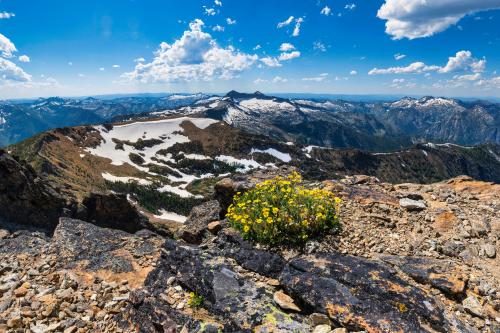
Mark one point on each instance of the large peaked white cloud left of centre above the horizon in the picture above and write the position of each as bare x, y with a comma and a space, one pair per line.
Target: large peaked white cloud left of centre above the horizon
195, 56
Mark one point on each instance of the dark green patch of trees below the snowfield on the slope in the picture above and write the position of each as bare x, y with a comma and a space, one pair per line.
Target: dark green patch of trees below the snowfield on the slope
151, 199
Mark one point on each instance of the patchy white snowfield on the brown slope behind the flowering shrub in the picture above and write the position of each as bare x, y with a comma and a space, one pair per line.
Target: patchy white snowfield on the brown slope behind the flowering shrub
118, 145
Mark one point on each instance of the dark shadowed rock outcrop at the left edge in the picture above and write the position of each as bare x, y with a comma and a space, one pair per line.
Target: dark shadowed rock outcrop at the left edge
26, 198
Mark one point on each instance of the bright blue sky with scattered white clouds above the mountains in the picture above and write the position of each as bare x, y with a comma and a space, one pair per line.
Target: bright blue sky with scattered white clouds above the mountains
74, 48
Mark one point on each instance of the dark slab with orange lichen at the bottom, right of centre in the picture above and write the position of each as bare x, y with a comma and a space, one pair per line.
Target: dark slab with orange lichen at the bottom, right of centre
361, 294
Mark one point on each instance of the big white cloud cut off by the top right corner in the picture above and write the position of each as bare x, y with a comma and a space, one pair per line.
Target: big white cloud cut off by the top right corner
423, 18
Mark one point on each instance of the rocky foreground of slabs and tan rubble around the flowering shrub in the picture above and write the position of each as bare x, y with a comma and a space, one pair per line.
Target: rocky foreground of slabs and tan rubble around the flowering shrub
409, 258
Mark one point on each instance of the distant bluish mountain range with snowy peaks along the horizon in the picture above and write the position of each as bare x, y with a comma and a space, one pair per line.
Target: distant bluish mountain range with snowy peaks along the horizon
374, 126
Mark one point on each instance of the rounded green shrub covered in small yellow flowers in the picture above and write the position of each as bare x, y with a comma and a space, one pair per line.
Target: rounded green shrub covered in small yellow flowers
281, 211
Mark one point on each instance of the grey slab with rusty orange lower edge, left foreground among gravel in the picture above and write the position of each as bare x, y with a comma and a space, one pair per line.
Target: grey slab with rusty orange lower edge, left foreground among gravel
107, 253
